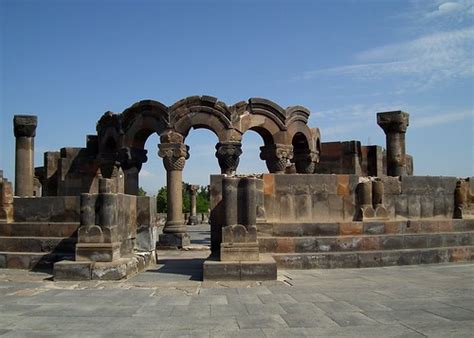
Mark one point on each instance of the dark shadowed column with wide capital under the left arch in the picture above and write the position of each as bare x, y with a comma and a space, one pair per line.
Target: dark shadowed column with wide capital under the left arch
131, 160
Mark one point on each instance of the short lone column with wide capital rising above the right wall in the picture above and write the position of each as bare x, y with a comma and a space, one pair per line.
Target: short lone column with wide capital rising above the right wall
395, 124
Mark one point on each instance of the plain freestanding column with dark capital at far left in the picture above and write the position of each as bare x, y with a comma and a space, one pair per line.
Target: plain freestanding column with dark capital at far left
24, 127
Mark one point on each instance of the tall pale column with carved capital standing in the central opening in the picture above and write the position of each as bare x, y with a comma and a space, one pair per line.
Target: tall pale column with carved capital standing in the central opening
174, 157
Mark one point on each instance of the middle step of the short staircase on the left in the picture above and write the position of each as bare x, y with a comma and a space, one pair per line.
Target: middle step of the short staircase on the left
37, 244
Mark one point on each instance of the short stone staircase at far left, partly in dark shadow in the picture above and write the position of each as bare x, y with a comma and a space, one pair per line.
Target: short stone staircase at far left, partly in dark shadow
36, 245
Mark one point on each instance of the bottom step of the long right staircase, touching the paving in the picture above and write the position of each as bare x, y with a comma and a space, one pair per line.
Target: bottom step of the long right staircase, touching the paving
366, 259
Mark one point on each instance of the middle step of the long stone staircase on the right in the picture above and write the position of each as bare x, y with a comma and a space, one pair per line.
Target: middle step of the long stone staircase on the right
274, 244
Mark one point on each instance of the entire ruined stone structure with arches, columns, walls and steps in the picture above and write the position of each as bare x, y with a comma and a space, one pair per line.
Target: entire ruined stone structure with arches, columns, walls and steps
322, 205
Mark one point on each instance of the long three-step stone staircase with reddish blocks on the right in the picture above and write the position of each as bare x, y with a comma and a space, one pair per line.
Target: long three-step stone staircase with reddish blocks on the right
367, 244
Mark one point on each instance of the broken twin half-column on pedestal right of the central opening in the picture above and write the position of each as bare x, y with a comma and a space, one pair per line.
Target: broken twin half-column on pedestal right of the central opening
239, 233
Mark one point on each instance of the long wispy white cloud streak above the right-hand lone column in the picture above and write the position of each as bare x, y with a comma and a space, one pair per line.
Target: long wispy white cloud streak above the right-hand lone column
421, 62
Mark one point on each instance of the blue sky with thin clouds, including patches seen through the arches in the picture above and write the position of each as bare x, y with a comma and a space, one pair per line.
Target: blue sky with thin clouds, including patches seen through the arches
70, 61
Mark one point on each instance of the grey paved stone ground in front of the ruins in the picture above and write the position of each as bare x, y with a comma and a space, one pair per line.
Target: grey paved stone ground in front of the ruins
170, 300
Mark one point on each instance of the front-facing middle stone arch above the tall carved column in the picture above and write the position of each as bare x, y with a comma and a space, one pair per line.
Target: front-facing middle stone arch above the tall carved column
206, 112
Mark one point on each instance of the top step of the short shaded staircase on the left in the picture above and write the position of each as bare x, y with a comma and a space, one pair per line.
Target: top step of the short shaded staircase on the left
39, 229
